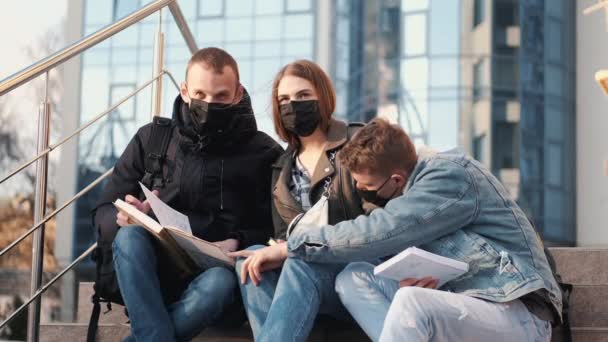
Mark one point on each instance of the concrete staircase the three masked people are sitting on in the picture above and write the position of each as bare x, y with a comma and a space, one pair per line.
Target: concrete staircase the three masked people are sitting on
586, 268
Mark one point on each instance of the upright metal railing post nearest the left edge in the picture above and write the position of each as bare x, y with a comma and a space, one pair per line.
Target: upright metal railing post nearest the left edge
33, 323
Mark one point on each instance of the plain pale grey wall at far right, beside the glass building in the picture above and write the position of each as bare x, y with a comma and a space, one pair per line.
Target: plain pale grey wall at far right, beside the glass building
592, 127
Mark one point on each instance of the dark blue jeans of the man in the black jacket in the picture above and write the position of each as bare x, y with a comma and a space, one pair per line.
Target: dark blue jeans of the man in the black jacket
161, 306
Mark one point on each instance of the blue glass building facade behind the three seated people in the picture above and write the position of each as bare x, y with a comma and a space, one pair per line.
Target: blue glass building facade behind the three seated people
493, 77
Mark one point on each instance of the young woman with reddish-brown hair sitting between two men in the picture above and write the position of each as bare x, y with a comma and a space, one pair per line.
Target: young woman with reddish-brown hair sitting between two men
282, 300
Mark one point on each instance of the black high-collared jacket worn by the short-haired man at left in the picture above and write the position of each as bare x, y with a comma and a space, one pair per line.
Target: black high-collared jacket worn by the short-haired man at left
220, 181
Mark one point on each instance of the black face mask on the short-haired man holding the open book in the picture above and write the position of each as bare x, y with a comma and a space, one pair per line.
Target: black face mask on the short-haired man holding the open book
211, 117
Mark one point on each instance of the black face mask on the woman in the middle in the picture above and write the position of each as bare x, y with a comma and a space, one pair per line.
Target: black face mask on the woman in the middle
301, 117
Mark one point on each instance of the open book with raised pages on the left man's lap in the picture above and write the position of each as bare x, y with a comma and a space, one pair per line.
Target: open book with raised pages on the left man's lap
173, 230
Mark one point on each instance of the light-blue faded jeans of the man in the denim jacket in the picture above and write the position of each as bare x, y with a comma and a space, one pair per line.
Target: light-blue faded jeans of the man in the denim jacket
387, 313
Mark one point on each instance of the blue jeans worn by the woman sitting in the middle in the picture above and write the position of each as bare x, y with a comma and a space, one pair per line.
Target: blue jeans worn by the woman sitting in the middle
285, 304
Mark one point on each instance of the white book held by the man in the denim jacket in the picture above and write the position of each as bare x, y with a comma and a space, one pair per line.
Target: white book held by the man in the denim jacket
417, 263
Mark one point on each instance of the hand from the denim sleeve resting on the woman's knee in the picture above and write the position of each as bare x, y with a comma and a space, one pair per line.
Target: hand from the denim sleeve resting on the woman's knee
261, 260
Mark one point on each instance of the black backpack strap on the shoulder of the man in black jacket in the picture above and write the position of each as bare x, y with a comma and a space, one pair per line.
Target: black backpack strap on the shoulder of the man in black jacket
155, 153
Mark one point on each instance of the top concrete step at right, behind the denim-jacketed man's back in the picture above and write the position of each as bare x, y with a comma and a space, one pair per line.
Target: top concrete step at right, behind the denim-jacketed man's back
582, 266
